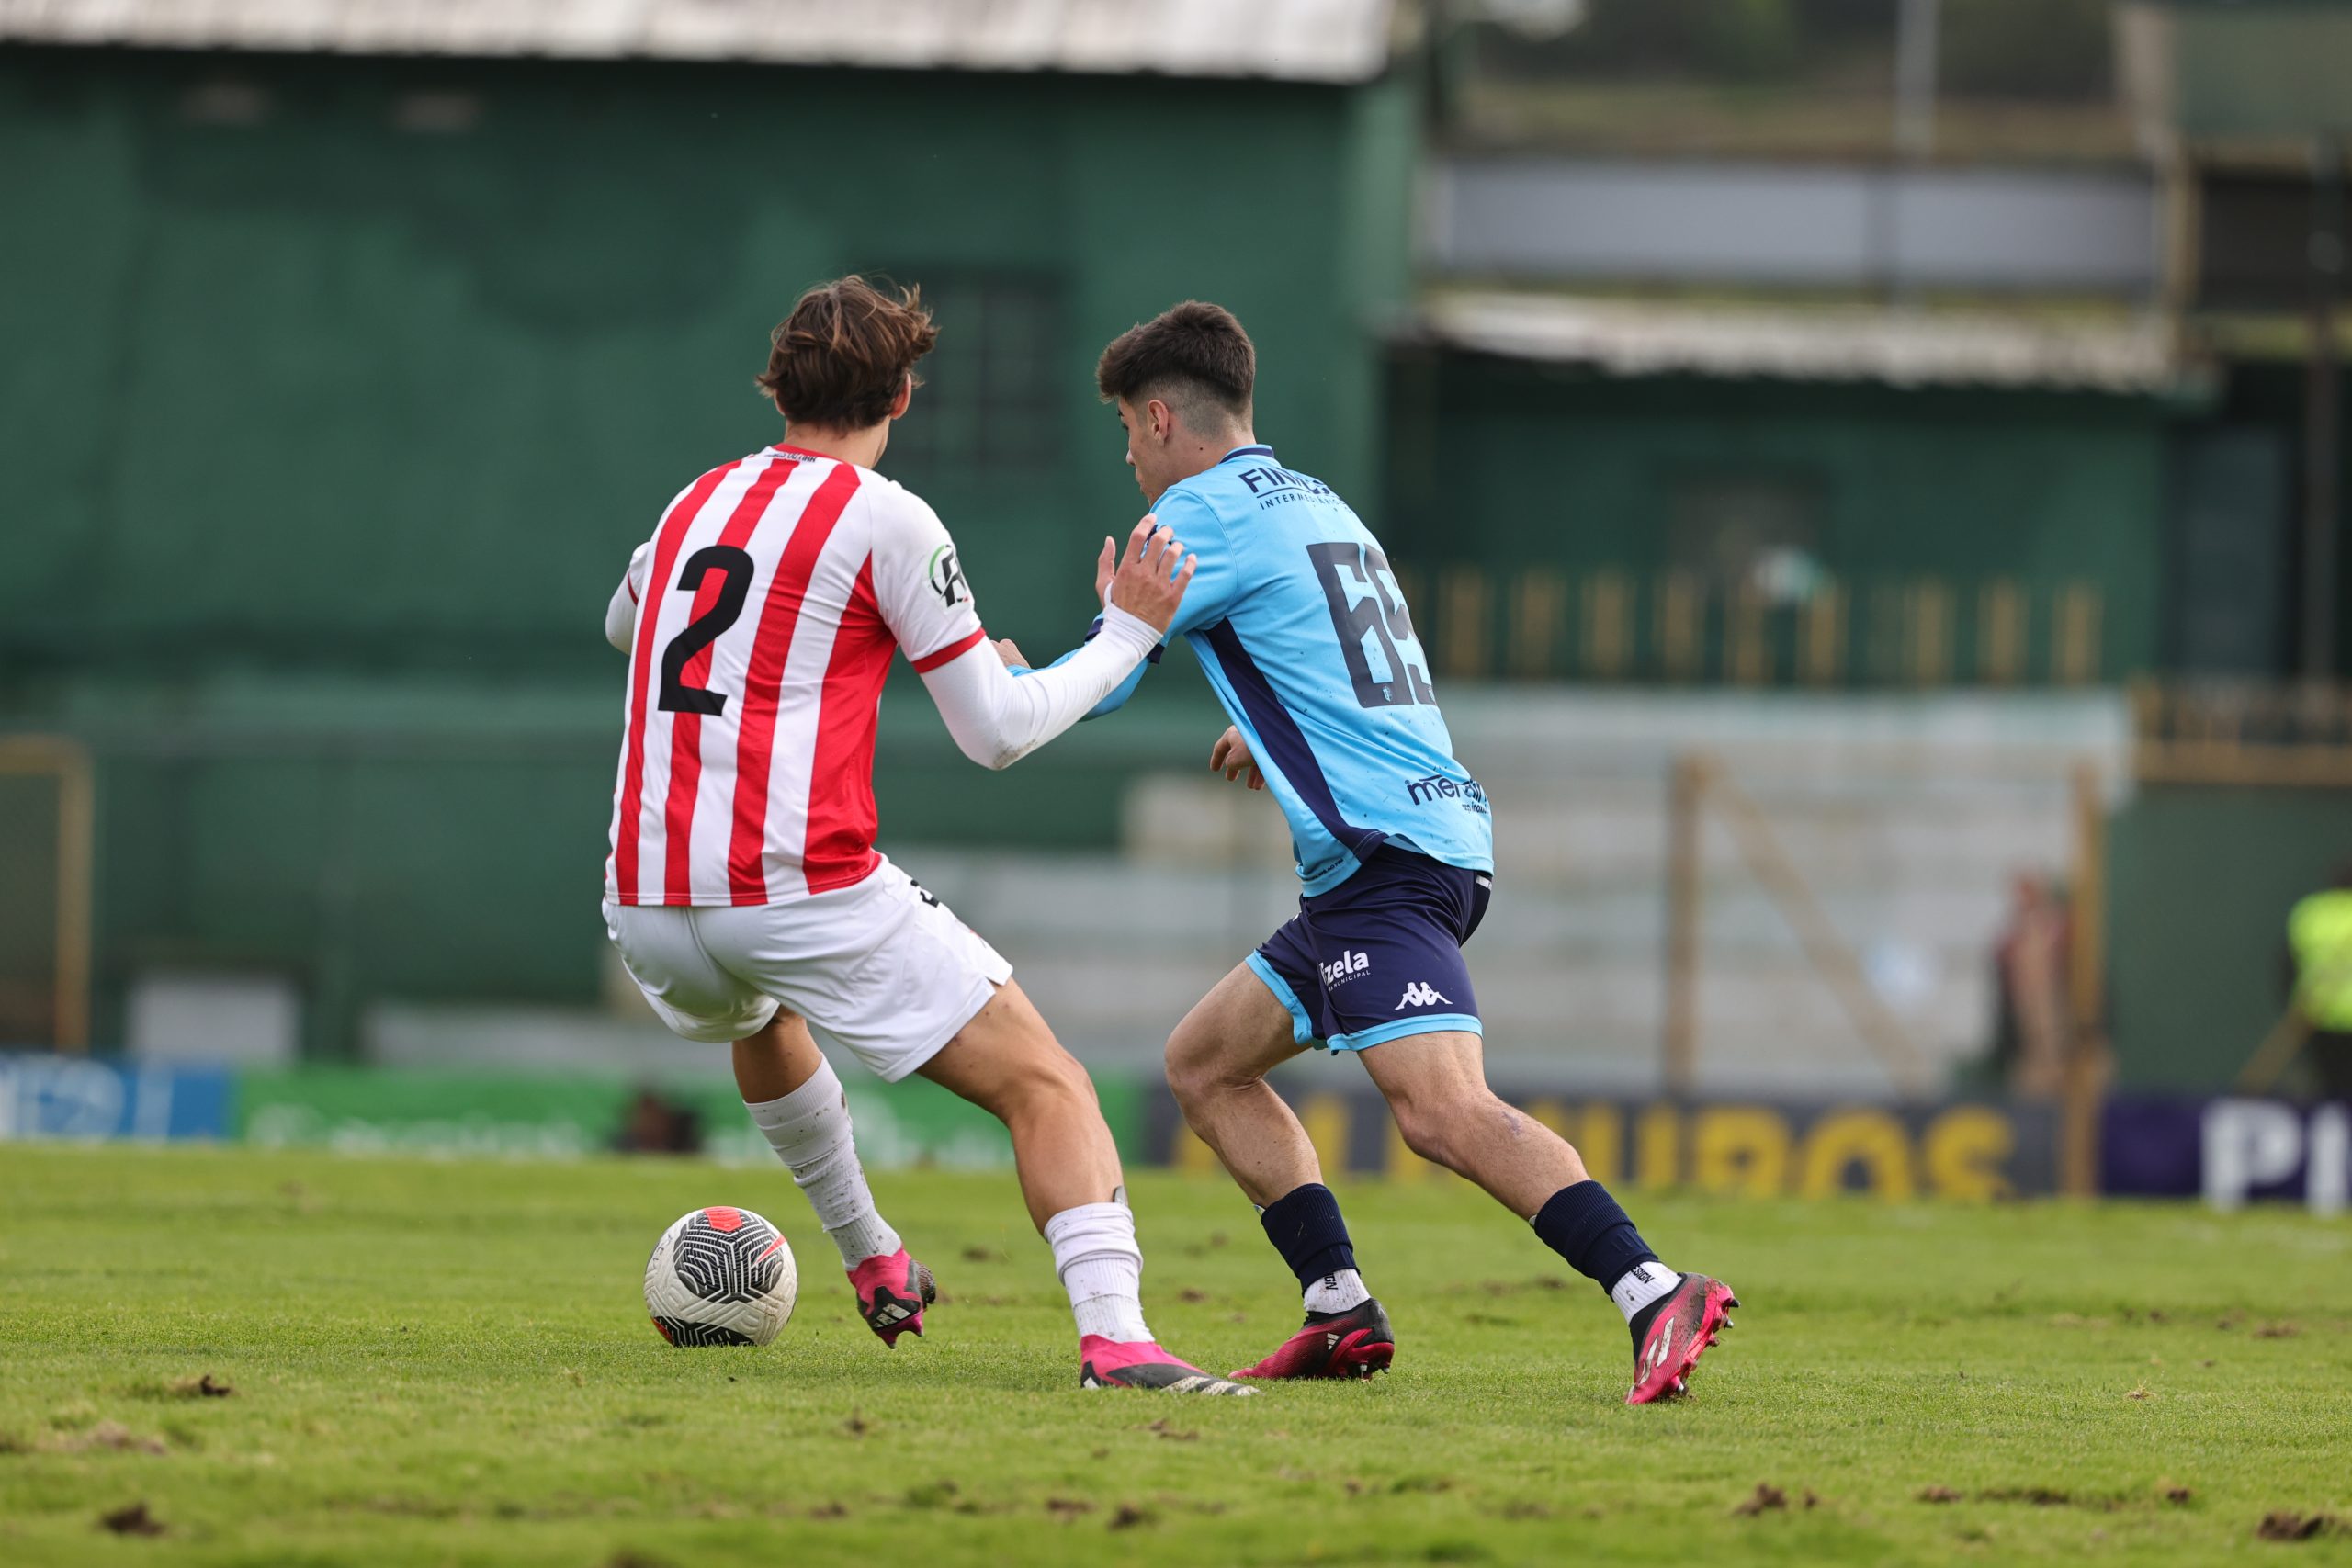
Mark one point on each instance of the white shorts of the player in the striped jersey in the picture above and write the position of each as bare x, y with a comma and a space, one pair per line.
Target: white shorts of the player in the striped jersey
878, 967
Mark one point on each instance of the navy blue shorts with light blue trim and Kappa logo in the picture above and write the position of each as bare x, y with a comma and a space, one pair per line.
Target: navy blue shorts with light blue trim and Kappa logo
1379, 956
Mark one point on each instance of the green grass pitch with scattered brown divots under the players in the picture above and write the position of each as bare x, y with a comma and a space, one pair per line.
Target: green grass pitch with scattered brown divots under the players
448, 1365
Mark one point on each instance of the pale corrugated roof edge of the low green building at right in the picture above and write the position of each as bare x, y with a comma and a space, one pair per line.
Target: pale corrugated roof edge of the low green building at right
1815, 344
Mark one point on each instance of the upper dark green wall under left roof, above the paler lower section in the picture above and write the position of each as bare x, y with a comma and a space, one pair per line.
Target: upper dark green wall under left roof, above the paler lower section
316, 389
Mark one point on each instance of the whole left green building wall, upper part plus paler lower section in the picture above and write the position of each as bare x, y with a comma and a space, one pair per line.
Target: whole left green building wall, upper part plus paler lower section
326, 441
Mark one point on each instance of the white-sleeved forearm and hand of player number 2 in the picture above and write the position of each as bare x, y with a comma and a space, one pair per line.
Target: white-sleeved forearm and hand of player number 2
1001, 718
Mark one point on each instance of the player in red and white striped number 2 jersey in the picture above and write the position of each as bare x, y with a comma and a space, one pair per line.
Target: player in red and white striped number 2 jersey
744, 887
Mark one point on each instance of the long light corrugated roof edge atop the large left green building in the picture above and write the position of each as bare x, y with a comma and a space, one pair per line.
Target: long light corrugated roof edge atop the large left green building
1307, 41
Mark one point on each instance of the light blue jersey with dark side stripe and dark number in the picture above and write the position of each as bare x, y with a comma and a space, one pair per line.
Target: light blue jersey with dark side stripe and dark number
1307, 641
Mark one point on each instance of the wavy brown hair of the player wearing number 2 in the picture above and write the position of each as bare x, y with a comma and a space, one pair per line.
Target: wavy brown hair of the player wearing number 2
846, 351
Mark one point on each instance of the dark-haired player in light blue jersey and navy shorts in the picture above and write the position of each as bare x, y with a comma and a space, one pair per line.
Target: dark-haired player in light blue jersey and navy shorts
1299, 626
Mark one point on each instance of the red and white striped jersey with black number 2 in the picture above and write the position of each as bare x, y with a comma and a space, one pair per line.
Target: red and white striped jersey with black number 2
768, 612
